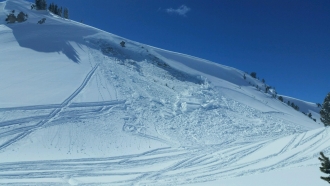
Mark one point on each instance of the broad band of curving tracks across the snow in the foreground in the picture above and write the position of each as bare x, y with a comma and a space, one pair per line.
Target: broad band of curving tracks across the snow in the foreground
182, 165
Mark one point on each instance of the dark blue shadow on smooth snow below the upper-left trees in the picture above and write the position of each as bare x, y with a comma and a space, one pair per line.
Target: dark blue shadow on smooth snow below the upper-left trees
50, 38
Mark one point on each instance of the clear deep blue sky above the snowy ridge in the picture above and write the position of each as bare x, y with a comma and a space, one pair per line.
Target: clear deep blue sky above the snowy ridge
287, 42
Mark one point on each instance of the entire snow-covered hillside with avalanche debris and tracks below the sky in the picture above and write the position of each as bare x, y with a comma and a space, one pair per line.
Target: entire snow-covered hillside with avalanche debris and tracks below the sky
77, 108
